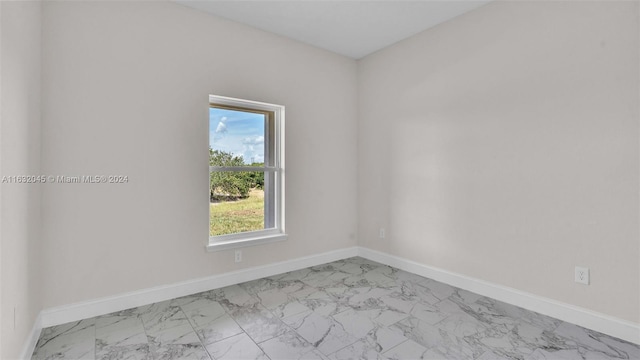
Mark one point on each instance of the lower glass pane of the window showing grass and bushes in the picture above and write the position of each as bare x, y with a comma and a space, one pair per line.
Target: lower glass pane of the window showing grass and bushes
237, 202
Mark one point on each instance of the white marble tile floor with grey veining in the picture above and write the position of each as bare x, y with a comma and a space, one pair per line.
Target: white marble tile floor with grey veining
347, 309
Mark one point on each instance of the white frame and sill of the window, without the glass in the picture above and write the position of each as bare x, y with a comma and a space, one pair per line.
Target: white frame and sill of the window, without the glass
273, 192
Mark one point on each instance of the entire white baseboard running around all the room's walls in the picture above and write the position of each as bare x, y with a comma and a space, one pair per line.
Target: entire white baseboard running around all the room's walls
589, 319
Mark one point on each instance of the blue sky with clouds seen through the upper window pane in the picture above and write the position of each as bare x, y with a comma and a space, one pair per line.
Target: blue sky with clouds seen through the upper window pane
237, 132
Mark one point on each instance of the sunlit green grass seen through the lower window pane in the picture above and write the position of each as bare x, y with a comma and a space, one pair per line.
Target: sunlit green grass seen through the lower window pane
237, 216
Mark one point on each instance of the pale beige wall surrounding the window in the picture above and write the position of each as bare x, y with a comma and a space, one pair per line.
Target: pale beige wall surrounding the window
127, 87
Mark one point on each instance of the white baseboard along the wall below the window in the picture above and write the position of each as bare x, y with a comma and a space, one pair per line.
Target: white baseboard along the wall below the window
87, 309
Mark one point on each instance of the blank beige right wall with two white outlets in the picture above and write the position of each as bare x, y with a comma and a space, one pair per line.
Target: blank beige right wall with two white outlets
503, 145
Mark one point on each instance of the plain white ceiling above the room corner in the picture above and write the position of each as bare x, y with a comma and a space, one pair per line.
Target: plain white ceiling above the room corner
351, 28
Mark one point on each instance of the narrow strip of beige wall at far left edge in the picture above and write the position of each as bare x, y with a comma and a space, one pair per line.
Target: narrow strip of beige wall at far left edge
19, 155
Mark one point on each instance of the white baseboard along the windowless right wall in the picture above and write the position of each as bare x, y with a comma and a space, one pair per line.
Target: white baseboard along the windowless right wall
589, 319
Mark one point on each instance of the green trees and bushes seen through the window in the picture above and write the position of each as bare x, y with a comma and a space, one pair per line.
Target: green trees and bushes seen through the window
229, 185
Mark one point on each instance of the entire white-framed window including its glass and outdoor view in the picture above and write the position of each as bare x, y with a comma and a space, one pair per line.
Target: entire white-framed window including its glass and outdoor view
246, 173
